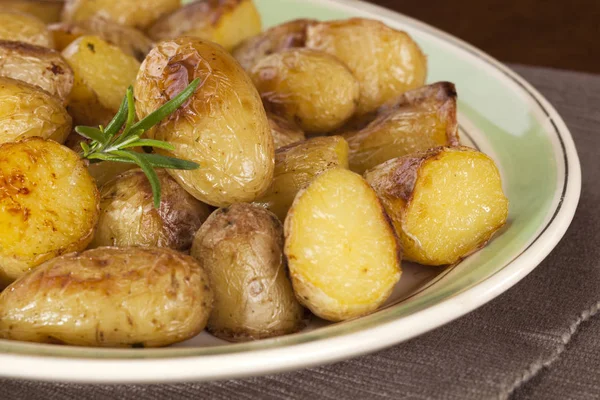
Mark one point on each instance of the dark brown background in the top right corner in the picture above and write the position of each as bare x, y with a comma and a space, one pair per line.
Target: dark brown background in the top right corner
553, 33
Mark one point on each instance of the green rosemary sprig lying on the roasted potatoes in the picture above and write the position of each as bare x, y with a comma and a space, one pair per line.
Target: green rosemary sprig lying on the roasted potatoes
106, 144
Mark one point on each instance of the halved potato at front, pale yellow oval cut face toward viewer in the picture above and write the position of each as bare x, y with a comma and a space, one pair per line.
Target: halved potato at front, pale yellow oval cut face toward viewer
342, 251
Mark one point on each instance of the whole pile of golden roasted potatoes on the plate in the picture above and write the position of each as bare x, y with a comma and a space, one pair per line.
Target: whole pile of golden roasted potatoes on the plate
324, 159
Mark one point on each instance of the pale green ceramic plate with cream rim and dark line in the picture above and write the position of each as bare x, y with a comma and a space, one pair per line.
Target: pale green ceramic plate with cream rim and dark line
500, 114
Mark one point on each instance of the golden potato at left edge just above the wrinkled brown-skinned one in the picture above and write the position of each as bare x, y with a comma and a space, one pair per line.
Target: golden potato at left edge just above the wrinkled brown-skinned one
21, 27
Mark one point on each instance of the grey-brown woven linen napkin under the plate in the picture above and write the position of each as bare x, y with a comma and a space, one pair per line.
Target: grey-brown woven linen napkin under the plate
518, 345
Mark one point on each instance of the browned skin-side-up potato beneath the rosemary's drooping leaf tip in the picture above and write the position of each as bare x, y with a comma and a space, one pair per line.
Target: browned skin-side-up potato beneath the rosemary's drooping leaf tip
128, 216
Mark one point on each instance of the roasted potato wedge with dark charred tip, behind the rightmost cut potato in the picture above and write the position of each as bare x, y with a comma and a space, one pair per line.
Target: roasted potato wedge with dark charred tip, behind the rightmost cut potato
419, 120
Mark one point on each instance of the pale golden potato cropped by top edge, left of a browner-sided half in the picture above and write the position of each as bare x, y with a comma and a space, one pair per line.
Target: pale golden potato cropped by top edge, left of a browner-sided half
135, 13
